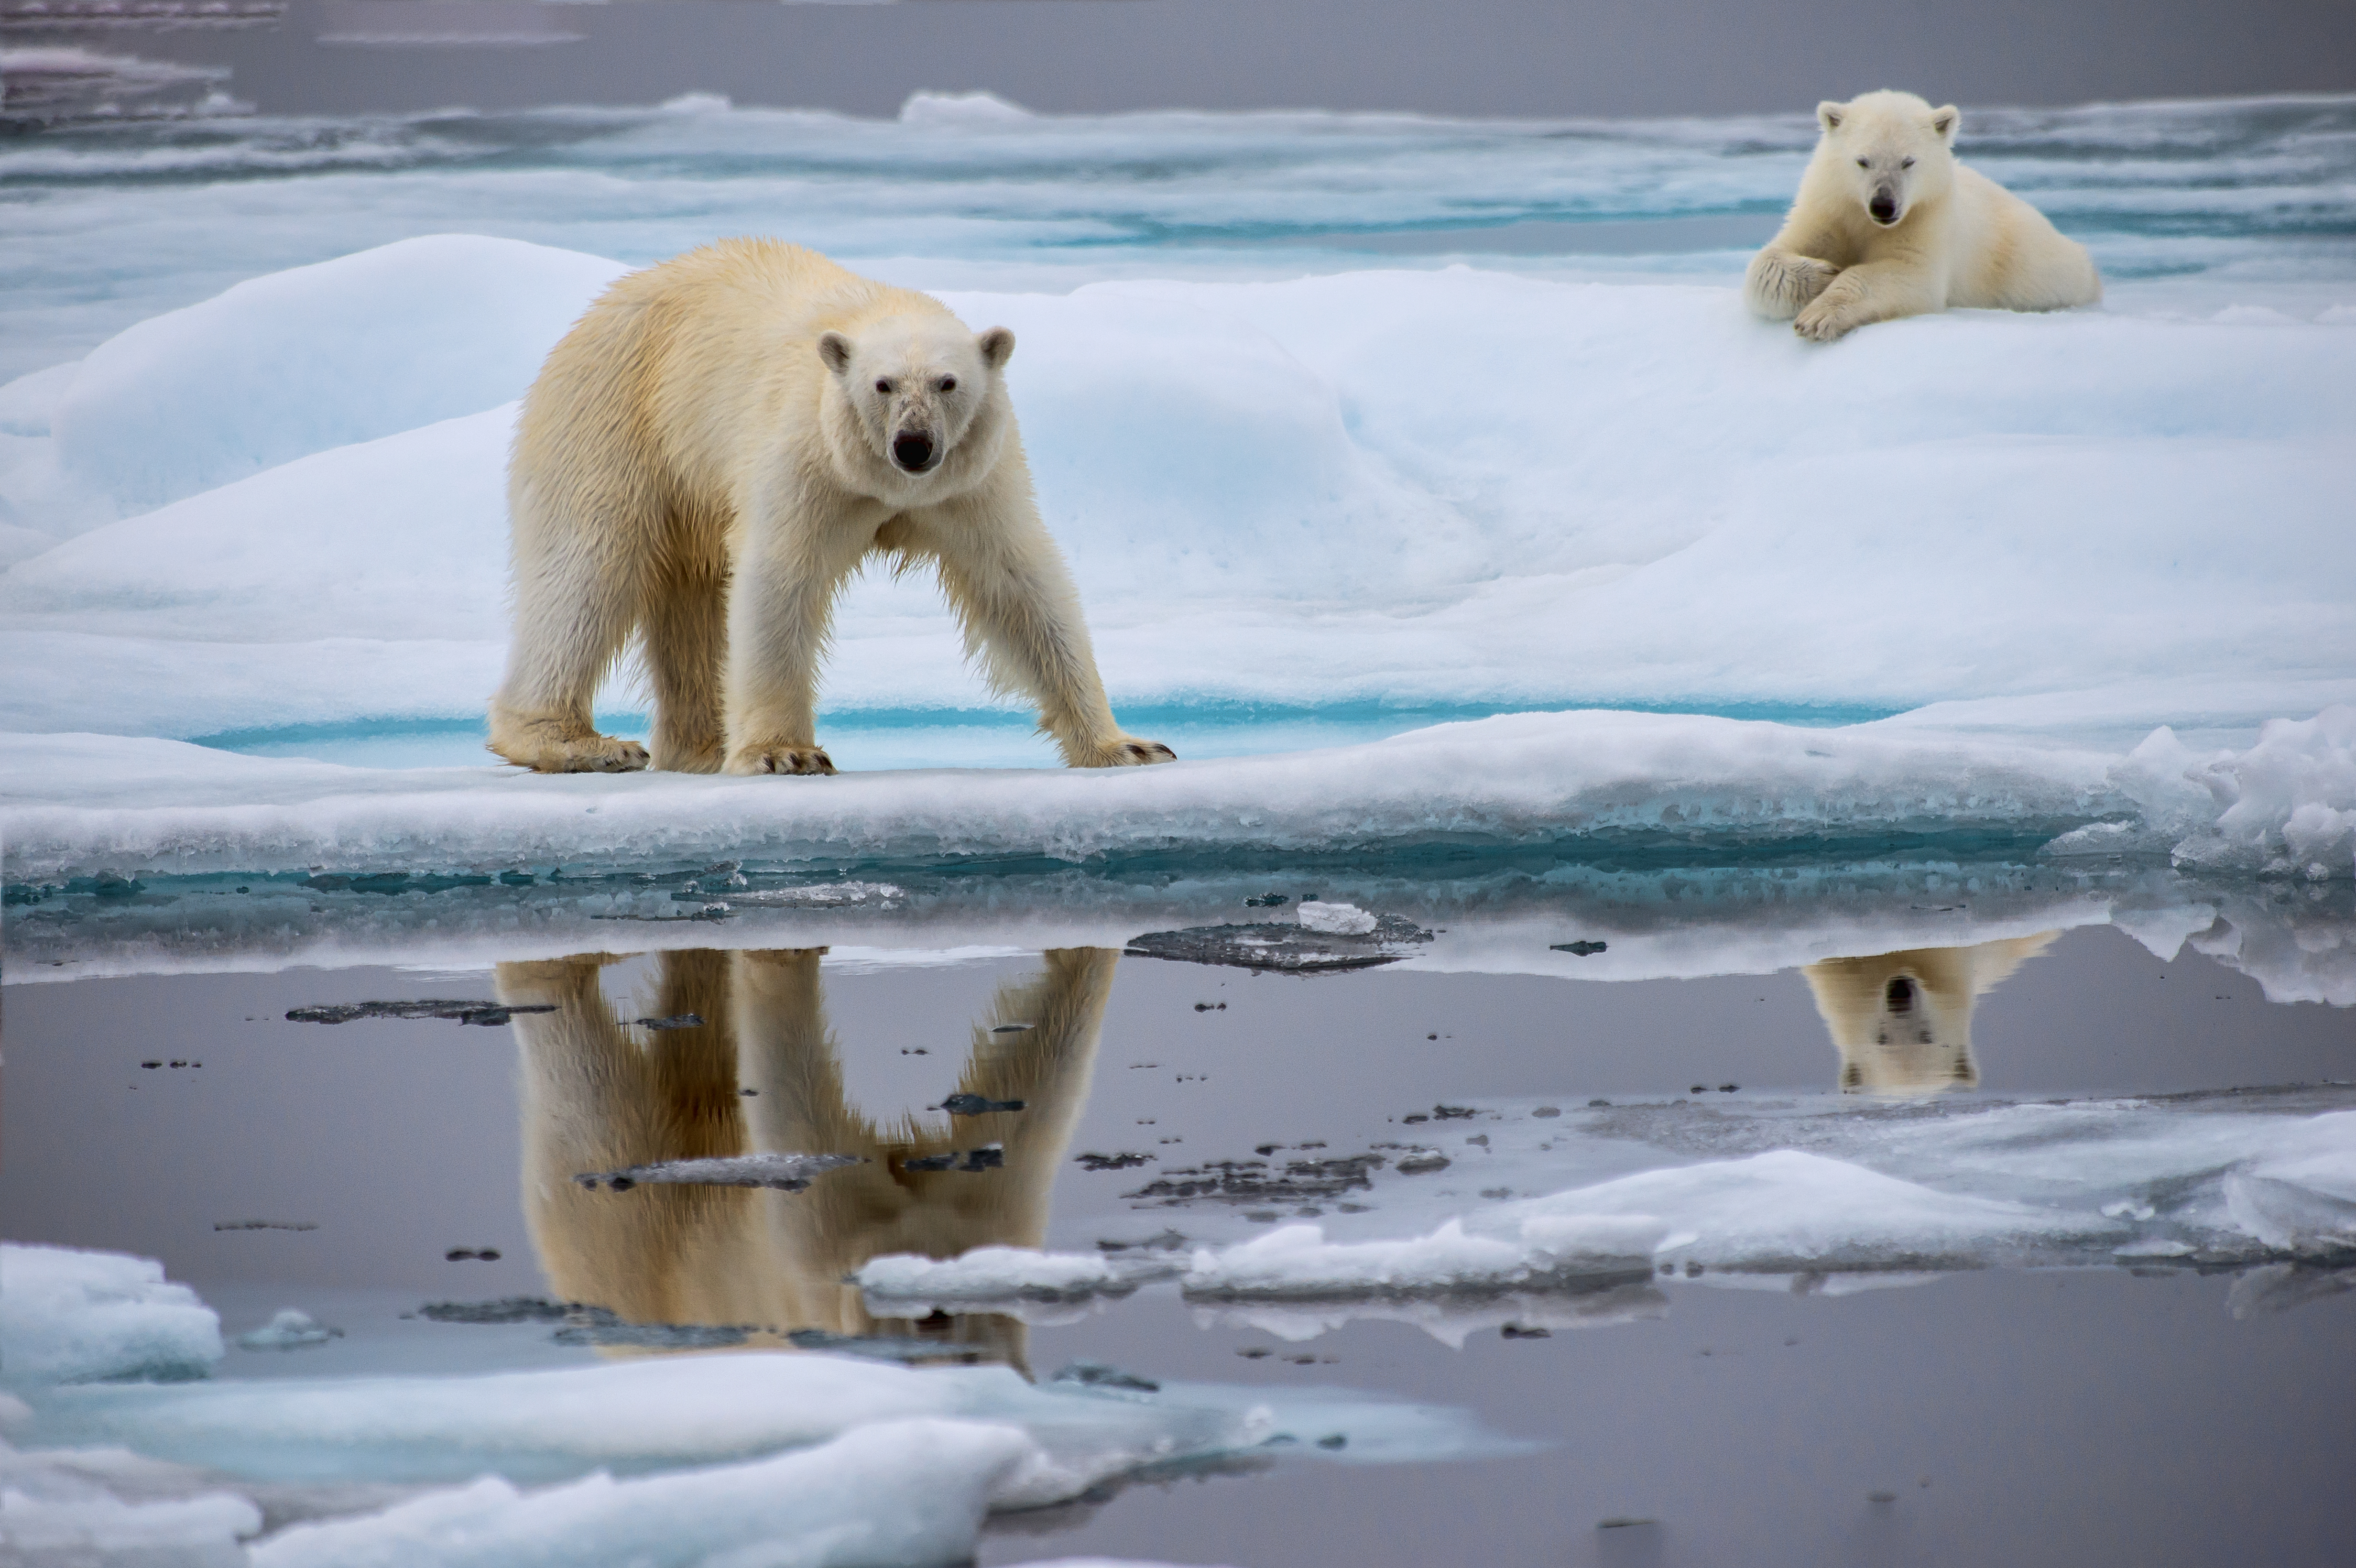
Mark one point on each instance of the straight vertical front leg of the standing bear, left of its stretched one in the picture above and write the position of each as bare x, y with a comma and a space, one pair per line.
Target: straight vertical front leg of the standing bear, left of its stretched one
781, 606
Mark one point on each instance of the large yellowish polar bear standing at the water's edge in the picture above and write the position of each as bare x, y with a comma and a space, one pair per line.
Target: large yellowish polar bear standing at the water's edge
710, 453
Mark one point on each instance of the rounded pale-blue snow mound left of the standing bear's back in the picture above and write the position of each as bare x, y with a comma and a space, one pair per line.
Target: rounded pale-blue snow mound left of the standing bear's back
317, 357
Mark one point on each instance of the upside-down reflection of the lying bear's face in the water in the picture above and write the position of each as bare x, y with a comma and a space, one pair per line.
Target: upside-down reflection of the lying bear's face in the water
1905, 1021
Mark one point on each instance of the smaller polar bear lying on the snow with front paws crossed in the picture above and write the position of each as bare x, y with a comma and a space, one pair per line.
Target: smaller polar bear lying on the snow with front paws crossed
1891, 225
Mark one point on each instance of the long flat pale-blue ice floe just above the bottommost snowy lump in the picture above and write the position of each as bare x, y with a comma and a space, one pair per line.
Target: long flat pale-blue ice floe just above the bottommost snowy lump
708, 1409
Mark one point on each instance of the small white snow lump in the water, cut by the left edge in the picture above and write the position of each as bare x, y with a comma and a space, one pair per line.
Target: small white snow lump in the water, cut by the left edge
77, 1317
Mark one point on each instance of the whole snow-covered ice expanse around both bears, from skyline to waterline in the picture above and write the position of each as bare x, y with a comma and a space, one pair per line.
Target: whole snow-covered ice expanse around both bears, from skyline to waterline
256, 493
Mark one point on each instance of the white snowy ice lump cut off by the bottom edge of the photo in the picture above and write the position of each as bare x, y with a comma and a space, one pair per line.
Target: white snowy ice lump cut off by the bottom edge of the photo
887, 1494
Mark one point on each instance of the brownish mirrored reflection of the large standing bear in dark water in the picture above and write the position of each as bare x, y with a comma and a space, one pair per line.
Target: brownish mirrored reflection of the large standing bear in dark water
600, 1096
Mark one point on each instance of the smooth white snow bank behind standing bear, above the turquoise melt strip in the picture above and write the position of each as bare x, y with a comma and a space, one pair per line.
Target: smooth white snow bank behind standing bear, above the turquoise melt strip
1566, 507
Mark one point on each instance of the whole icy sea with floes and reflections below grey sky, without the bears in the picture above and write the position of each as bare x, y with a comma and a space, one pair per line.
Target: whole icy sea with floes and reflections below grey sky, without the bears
1749, 959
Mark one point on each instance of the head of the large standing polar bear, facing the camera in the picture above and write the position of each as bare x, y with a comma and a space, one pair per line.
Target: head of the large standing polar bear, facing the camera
922, 392
